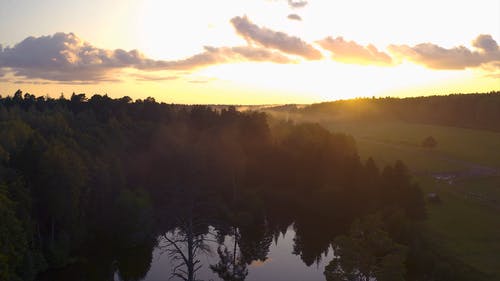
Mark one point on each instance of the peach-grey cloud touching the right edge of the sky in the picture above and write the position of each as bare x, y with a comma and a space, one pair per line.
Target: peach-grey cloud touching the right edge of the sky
436, 57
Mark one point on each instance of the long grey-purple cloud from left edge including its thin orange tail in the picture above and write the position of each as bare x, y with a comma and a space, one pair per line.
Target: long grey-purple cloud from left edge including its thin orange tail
65, 57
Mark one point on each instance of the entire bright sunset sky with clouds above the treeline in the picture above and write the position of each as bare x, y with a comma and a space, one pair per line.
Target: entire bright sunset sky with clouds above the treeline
249, 51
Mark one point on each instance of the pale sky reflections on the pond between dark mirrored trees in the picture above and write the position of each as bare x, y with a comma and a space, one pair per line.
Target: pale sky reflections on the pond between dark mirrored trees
280, 265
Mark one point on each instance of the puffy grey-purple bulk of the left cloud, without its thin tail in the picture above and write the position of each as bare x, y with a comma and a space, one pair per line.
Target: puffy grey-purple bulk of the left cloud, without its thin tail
65, 57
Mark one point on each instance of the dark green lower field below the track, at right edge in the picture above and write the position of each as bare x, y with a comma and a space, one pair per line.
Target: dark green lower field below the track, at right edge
464, 225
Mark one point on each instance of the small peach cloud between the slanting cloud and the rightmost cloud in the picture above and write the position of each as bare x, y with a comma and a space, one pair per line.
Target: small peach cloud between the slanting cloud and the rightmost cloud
352, 52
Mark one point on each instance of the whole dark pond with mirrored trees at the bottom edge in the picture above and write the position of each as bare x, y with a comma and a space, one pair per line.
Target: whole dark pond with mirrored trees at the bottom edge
194, 242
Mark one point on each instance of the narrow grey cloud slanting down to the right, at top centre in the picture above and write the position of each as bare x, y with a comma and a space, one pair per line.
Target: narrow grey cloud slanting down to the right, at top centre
274, 39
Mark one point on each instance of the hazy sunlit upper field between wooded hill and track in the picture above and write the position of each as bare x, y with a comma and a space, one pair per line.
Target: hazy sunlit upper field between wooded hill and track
455, 145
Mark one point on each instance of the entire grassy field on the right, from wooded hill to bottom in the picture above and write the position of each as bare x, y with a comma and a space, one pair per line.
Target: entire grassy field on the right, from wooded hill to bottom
467, 223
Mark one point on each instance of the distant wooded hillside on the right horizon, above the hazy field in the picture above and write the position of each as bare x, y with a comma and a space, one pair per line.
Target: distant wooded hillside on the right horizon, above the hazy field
476, 111
